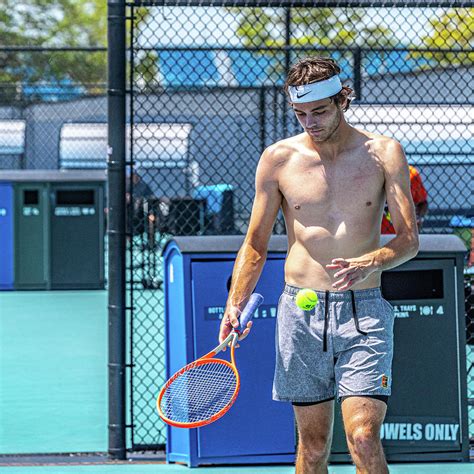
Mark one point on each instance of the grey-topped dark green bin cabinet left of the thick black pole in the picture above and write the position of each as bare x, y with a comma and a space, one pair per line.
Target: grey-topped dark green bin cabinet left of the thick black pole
56, 229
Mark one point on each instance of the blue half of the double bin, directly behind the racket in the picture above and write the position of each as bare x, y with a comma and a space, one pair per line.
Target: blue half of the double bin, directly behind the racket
256, 430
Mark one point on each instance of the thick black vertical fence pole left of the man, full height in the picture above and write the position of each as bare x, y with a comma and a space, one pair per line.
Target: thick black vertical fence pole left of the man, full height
116, 225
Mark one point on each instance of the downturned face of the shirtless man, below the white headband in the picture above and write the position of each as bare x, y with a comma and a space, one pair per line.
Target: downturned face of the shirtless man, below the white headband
319, 118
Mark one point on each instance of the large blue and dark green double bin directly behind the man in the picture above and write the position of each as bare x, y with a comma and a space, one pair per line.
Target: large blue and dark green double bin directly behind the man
427, 412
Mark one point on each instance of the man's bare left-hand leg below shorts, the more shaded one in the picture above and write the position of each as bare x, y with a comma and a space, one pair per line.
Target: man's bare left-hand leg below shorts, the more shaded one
314, 437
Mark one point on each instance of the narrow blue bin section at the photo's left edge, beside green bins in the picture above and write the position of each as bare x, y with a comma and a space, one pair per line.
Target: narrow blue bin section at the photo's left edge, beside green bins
7, 276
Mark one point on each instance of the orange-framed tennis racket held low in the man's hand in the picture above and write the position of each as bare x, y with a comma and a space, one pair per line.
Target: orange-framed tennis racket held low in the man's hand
204, 390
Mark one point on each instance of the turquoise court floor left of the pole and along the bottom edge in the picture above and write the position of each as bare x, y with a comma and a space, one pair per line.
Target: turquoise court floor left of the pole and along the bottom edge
53, 388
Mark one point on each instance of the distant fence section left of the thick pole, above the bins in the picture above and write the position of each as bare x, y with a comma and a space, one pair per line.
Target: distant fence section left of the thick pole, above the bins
46, 94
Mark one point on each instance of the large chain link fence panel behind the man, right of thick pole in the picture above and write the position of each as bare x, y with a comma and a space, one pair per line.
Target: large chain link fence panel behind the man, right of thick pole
207, 99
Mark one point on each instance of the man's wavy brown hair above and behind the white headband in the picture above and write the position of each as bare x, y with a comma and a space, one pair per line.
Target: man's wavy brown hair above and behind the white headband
315, 69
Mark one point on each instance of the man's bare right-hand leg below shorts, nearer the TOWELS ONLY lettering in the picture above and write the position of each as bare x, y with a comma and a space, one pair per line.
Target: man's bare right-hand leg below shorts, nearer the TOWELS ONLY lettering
363, 418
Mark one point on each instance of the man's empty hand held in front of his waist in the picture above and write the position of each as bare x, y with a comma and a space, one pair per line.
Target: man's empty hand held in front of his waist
351, 271
